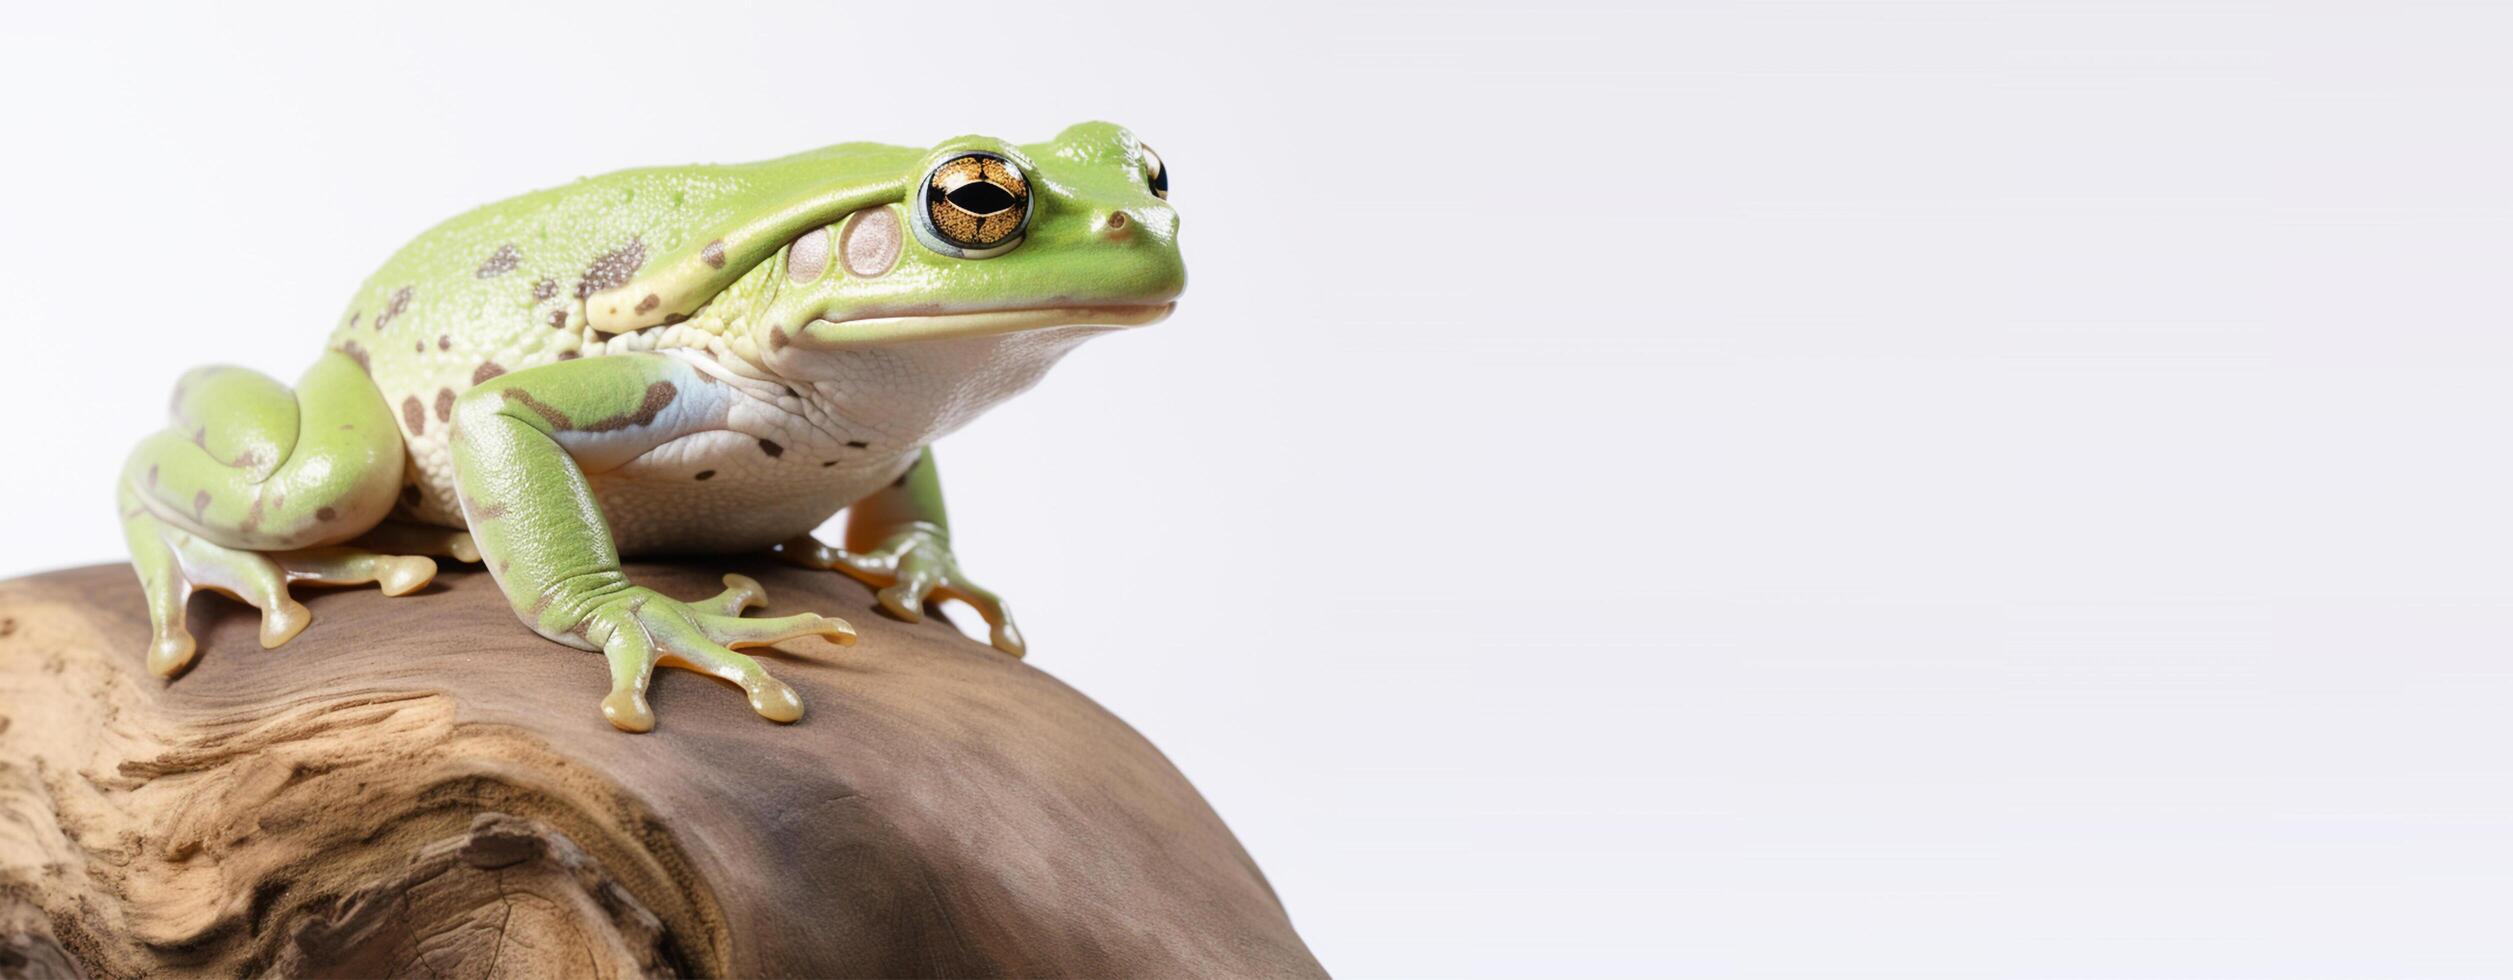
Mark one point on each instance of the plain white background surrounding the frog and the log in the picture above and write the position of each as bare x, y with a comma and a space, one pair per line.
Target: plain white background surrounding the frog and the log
1723, 489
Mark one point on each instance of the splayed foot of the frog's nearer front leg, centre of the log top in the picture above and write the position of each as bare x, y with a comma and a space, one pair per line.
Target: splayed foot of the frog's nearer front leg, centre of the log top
642, 629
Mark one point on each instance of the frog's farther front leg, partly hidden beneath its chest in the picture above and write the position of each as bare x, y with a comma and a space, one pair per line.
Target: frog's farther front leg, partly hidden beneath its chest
898, 542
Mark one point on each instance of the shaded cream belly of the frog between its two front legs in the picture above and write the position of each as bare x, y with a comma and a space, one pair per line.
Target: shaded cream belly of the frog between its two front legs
720, 494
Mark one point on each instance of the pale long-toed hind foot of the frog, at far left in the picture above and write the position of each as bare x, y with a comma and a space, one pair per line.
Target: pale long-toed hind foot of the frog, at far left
175, 564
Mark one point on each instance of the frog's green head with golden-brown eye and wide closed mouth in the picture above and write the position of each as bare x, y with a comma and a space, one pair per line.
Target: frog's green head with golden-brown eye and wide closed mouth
981, 240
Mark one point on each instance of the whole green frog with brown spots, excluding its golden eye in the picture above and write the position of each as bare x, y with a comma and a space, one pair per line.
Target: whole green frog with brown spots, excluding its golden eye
667, 361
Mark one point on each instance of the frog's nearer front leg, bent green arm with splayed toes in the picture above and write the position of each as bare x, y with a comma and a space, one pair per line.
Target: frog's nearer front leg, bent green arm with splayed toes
524, 446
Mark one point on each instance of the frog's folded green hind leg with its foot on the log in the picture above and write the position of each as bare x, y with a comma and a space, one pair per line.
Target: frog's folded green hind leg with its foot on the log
255, 489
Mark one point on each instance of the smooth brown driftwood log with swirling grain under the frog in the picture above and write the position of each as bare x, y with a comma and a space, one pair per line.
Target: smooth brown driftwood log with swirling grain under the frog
423, 788
